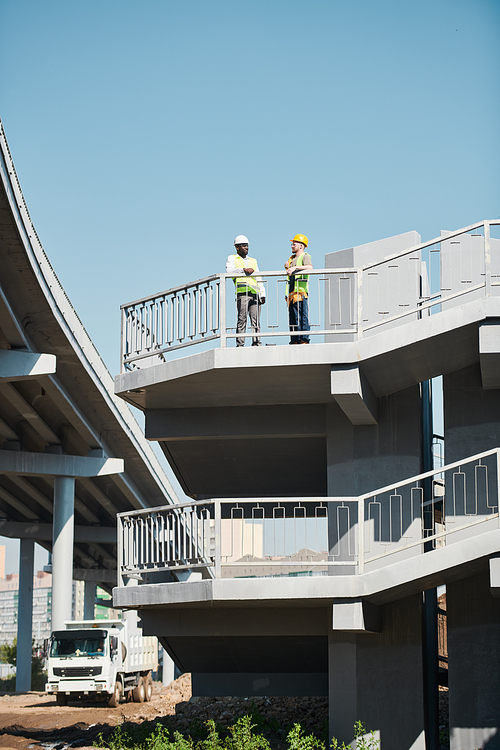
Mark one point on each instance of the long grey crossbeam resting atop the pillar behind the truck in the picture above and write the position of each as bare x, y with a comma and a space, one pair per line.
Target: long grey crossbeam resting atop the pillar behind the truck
41, 464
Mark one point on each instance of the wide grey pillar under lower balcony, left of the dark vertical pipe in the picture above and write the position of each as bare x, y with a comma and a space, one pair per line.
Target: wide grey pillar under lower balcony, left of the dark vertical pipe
377, 678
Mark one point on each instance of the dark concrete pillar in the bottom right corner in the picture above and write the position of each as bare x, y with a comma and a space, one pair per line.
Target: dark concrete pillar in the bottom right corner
473, 663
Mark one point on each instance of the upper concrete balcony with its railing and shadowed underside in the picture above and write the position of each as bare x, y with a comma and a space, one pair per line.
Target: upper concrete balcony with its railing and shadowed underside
386, 317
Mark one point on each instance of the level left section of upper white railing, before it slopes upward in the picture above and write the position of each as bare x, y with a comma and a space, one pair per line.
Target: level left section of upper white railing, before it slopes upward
205, 310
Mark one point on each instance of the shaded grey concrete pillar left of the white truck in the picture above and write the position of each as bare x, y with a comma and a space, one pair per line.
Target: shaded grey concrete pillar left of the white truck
25, 615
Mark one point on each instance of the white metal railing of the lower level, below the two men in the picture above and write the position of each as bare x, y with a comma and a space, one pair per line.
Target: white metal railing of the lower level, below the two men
277, 537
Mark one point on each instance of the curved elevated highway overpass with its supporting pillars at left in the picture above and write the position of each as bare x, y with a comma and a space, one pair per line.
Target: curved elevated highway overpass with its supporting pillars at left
71, 453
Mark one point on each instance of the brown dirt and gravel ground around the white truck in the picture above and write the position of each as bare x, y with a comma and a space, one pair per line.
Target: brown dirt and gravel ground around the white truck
35, 721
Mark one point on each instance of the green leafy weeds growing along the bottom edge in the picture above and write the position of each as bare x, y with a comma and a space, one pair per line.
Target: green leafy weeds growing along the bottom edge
238, 736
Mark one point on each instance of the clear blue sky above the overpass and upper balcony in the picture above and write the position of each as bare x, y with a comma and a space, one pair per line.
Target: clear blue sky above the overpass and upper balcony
147, 135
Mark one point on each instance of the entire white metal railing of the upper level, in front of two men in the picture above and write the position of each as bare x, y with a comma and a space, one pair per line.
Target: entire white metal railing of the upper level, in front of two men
344, 303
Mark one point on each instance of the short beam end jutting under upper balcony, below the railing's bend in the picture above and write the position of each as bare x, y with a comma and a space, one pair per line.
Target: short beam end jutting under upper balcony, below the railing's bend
353, 394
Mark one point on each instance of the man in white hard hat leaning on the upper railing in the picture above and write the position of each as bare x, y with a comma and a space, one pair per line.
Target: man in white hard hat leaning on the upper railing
250, 292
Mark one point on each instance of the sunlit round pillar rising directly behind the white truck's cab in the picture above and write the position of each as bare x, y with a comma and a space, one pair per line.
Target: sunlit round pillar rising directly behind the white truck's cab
62, 550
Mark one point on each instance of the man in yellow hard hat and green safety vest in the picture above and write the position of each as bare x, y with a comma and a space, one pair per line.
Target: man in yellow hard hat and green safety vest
298, 289
